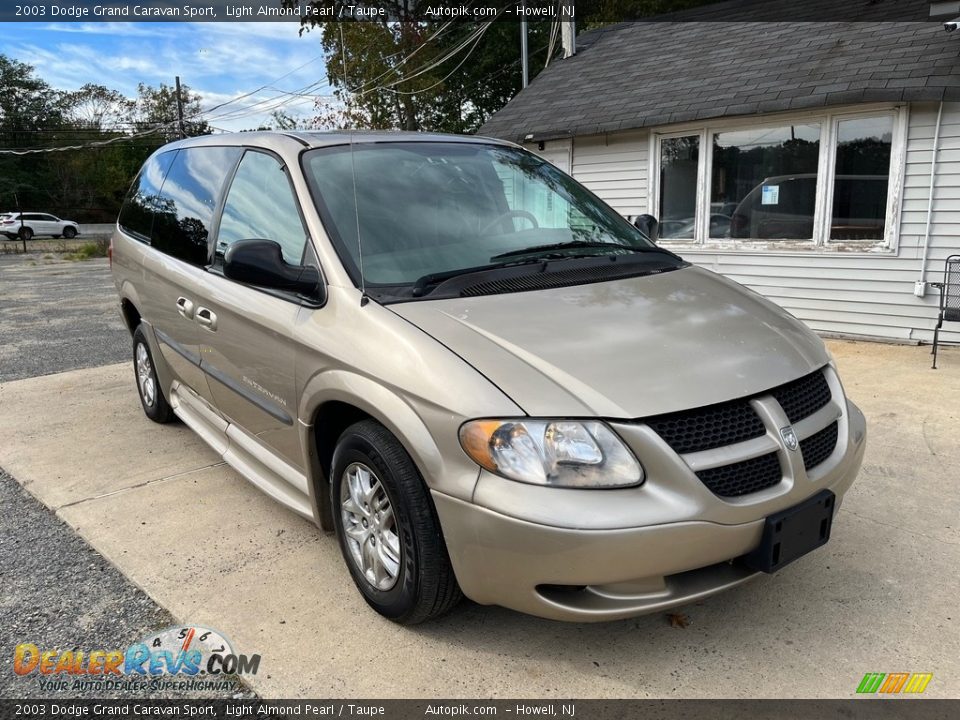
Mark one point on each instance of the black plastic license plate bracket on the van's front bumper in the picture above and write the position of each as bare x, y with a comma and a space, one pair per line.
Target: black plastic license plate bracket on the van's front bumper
792, 533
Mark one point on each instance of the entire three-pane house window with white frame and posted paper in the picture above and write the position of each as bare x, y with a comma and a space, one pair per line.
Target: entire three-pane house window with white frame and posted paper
796, 183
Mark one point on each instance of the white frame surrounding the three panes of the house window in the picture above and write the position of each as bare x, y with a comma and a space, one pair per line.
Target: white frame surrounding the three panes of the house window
829, 120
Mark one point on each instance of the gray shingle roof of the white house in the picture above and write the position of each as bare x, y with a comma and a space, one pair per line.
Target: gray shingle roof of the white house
637, 75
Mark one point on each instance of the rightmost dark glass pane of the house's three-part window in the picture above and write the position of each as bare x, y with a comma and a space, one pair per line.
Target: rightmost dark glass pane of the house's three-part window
862, 176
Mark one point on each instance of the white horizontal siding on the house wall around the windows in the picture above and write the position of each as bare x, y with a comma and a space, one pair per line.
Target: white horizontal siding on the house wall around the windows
834, 292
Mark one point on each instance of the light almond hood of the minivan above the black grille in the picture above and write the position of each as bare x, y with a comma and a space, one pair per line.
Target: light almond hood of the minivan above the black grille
625, 348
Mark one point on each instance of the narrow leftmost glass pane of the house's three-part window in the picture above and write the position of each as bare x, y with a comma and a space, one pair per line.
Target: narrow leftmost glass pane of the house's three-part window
678, 186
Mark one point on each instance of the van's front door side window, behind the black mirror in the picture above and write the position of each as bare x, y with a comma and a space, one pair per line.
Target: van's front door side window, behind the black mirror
261, 204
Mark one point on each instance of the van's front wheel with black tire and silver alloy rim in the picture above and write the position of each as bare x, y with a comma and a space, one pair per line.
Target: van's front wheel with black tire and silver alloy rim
400, 518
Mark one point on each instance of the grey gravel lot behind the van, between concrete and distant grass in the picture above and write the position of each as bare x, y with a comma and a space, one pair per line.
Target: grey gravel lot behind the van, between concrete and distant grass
57, 315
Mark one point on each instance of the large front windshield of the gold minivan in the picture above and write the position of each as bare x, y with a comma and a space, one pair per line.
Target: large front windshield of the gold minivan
425, 208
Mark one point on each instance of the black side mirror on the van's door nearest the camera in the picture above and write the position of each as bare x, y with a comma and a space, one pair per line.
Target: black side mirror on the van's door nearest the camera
260, 262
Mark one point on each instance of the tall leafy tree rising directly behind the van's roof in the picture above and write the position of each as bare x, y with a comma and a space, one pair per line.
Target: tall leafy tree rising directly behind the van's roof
406, 73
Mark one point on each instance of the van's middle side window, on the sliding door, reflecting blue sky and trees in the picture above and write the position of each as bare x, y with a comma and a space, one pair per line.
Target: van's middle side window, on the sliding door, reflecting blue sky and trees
188, 200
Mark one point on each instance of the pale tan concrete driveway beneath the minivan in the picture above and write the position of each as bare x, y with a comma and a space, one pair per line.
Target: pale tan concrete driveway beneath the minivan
880, 597
